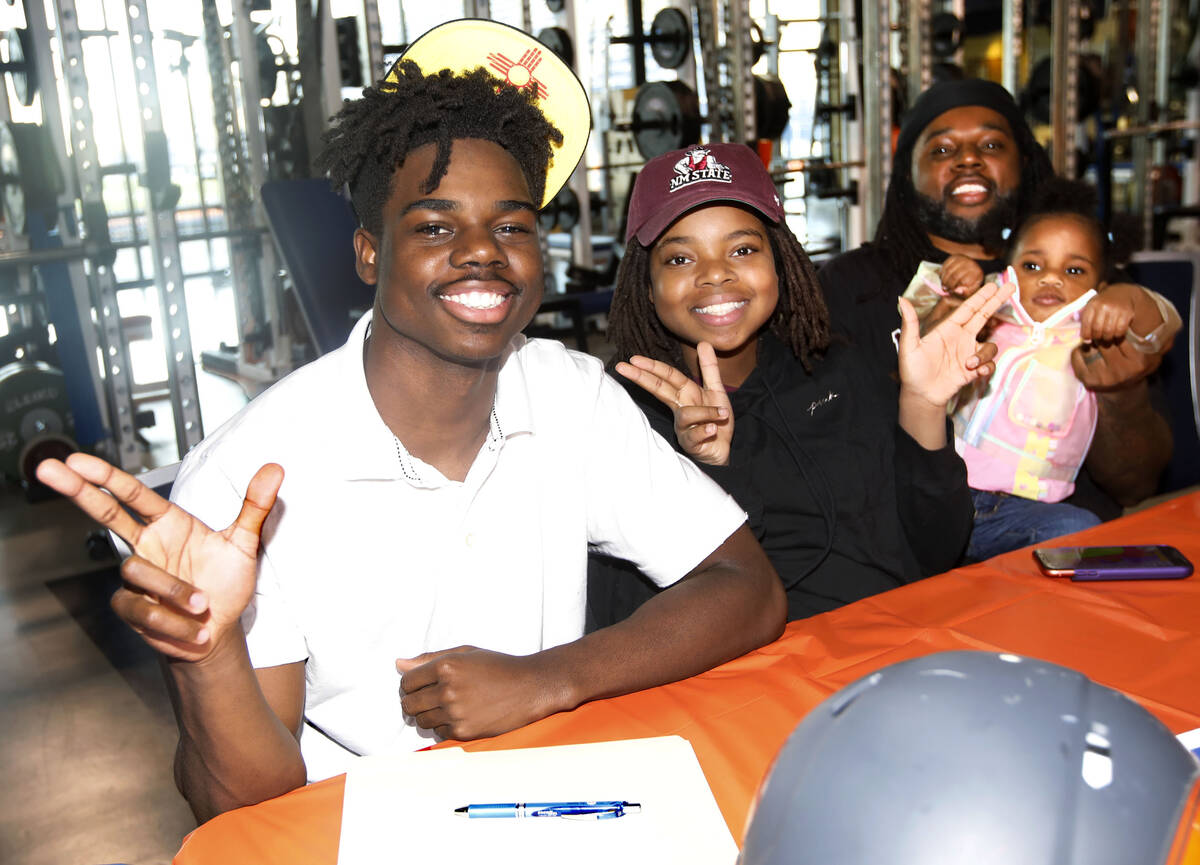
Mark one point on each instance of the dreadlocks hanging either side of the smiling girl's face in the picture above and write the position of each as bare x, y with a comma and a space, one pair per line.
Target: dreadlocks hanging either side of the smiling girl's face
801, 320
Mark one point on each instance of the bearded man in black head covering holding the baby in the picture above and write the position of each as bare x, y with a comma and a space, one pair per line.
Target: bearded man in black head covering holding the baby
965, 171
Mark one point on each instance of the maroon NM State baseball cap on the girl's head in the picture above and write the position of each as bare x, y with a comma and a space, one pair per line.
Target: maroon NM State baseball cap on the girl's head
673, 184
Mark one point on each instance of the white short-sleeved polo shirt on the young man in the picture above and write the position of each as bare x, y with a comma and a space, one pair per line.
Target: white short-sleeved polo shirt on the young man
371, 555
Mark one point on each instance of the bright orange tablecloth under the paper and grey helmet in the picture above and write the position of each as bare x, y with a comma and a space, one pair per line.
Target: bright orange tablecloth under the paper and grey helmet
1139, 638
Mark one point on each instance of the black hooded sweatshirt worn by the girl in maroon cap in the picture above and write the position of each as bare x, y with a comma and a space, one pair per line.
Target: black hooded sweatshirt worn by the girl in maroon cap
845, 503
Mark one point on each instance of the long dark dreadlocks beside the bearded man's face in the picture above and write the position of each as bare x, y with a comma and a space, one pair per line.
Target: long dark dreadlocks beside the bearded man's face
905, 242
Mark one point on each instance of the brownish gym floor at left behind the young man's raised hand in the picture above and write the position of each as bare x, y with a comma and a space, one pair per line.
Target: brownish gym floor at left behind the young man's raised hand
89, 735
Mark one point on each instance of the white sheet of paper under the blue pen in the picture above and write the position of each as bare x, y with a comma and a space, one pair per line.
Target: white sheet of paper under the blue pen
400, 809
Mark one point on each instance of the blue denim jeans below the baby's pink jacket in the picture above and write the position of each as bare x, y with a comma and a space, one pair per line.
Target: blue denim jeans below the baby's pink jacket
1009, 522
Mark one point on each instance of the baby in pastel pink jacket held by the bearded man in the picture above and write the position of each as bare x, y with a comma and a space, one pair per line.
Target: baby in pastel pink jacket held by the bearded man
1025, 432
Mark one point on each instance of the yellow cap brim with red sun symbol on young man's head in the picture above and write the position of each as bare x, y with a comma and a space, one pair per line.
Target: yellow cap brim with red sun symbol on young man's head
518, 58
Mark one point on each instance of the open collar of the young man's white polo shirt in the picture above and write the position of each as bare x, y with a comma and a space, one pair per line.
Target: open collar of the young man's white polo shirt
361, 447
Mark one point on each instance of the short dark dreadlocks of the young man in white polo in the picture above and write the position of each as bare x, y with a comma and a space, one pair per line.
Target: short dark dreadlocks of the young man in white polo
373, 136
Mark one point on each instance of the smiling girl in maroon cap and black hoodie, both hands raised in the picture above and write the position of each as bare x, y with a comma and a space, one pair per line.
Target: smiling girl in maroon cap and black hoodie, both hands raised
719, 314
